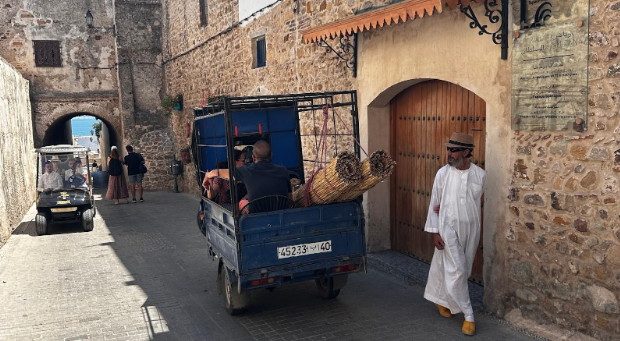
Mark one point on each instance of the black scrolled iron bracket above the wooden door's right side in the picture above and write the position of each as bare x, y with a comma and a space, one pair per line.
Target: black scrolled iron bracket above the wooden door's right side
495, 15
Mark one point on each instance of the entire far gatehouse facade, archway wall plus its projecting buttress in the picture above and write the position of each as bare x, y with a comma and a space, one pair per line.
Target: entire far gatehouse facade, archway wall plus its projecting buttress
110, 69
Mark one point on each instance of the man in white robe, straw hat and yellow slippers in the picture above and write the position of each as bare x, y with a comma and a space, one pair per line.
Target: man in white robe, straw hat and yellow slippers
454, 220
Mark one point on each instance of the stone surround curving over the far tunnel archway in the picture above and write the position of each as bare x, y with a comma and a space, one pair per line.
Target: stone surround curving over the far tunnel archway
48, 113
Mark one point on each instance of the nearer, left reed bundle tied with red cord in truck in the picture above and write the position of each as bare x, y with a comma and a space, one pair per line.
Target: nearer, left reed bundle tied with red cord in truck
342, 174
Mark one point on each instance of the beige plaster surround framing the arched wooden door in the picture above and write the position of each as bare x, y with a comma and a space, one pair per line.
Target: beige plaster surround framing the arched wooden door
394, 58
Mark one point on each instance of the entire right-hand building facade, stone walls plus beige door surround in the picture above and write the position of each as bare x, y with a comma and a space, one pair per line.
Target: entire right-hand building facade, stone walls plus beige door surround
551, 239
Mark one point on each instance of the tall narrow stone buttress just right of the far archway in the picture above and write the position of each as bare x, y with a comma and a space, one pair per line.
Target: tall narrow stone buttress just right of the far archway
140, 74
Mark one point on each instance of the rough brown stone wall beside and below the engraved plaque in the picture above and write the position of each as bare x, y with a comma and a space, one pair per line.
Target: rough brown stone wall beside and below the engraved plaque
561, 263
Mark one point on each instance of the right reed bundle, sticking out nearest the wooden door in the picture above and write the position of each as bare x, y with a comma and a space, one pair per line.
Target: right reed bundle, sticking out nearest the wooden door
378, 166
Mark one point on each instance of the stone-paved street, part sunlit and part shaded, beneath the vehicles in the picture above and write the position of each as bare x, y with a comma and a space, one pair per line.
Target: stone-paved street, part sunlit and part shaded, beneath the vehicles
144, 274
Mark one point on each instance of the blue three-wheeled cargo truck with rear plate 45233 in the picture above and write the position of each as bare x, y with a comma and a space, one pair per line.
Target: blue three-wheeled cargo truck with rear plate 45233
276, 244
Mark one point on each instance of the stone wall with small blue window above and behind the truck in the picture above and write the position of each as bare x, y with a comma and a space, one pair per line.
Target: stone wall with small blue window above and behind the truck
217, 58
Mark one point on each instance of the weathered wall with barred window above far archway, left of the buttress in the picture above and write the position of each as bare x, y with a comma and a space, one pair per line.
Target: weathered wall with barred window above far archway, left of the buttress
86, 81
